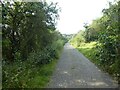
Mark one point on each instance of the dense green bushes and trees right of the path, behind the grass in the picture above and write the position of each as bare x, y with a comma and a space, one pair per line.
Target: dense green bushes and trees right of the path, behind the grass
106, 32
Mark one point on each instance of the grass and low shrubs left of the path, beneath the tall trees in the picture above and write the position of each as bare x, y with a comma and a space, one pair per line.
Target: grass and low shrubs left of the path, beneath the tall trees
35, 72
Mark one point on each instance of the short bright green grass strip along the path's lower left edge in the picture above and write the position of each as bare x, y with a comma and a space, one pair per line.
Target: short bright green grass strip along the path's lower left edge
42, 75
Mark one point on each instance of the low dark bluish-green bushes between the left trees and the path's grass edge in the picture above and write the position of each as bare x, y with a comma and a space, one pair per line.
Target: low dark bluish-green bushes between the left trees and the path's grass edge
47, 54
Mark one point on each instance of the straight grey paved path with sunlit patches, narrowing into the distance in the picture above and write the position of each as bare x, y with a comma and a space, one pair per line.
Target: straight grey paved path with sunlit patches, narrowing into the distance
74, 70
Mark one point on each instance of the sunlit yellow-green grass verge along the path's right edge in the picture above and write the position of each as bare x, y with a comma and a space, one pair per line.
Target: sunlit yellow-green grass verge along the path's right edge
91, 52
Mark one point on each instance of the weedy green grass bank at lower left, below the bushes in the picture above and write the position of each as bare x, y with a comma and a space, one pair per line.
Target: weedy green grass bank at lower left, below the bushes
25, 74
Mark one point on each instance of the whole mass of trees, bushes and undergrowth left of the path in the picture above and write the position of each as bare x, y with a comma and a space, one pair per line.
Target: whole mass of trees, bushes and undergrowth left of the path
29, 41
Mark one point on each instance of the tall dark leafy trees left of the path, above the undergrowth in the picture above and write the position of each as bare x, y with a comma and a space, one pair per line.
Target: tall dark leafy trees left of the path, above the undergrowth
27, 27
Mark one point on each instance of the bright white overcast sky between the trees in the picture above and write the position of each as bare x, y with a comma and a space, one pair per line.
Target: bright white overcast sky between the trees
74, 13
